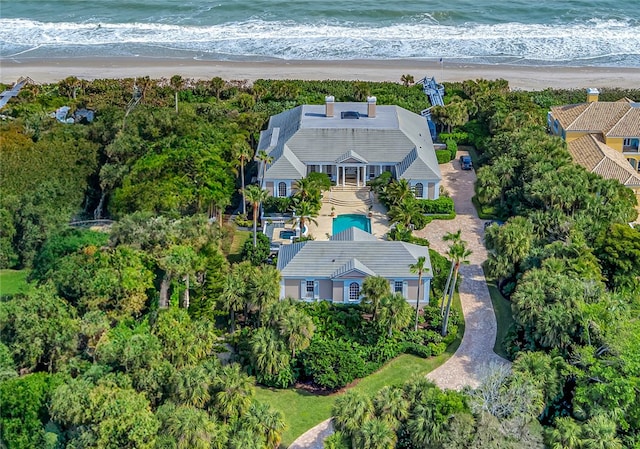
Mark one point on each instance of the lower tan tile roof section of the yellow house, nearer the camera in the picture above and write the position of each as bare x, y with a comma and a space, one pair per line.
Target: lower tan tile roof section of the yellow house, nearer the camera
597, 157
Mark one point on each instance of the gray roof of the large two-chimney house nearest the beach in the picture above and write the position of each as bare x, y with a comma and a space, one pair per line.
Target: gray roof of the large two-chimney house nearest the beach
314, 138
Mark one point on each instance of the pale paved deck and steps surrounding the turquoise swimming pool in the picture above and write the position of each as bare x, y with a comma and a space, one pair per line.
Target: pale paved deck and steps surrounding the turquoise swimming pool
324, 228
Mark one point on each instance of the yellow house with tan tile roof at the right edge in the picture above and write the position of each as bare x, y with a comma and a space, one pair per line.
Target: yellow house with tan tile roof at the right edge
603, 137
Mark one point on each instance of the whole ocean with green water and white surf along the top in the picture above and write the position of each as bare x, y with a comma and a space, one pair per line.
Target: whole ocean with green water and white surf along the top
543, 32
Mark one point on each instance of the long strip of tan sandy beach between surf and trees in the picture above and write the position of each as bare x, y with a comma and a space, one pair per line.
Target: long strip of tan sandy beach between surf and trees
519, 77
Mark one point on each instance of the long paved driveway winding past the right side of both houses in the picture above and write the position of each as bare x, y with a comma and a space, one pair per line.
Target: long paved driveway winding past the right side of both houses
465, 367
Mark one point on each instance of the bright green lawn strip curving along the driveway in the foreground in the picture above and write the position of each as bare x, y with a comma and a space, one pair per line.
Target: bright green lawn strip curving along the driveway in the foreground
303, 410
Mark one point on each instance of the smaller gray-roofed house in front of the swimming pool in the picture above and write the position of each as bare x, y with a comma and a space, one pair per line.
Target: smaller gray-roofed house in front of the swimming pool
335, 269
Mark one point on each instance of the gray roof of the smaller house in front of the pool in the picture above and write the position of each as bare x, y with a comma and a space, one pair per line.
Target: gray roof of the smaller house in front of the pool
323, 259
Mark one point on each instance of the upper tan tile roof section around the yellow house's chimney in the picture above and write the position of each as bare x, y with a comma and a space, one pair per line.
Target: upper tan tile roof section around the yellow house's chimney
599, 116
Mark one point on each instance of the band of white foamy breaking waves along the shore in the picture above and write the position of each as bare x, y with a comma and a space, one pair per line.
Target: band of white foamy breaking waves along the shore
582, 40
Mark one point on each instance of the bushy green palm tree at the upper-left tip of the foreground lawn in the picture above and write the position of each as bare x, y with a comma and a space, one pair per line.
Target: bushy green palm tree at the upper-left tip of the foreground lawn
235, 393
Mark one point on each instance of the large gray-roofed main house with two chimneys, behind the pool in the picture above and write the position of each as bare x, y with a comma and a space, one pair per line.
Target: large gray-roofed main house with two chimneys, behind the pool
350, 142
